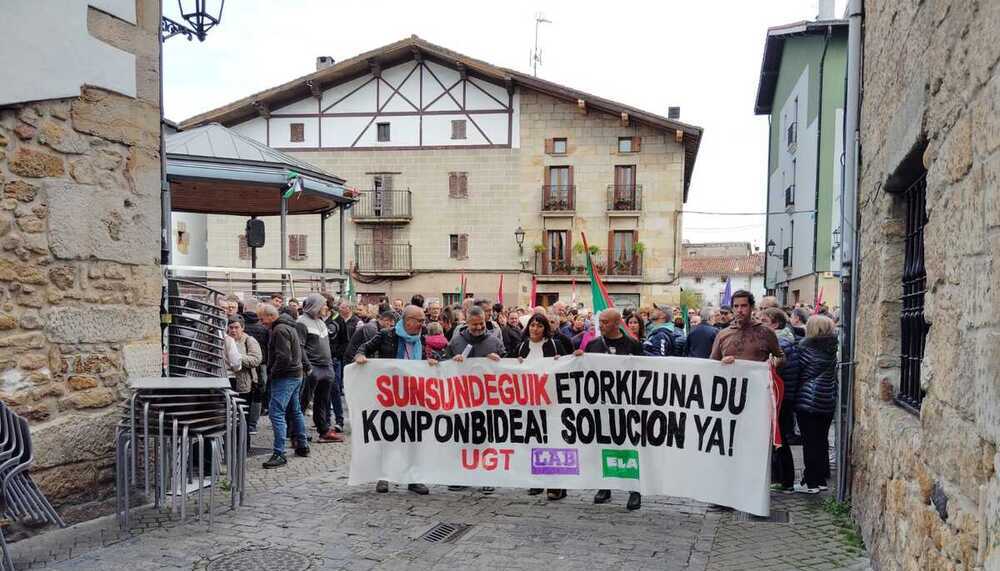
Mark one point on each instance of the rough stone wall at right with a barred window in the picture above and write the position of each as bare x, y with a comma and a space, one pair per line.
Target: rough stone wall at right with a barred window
925, 488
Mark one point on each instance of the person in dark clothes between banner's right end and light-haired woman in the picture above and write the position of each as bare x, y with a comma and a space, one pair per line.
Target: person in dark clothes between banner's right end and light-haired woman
782, 463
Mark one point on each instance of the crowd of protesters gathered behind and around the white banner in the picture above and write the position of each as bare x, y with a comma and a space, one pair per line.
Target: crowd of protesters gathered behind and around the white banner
287, 356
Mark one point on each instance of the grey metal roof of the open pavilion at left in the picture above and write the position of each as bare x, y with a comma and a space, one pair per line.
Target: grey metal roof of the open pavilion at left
214, 170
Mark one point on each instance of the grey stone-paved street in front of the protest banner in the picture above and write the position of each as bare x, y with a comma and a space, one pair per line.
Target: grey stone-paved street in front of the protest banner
304, 516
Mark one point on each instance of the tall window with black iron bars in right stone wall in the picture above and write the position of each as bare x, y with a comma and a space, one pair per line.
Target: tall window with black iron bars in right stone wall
912, 323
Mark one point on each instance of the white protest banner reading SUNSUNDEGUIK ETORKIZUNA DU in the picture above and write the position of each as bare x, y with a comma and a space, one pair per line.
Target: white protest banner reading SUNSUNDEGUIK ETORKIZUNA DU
664, 426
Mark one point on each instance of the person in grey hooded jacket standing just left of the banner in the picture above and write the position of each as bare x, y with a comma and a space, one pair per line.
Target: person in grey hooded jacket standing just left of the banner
319, 382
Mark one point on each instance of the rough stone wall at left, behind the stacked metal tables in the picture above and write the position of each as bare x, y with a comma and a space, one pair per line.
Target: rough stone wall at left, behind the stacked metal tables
79, 264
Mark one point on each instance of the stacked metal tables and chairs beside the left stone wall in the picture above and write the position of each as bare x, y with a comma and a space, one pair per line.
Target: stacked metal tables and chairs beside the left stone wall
188, 423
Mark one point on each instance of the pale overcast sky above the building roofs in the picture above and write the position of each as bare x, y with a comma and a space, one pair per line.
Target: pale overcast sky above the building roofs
701, 55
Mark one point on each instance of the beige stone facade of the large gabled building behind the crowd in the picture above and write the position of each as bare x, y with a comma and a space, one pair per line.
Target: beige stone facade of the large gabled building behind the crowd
504, 192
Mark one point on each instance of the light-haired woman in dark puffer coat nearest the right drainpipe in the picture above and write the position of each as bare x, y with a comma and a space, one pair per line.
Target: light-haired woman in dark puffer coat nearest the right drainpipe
816, 401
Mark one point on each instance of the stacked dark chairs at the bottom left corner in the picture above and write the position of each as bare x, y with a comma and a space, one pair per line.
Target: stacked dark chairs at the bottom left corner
20, 498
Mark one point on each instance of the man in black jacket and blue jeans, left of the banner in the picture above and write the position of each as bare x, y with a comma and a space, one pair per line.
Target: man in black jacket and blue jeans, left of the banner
284, 359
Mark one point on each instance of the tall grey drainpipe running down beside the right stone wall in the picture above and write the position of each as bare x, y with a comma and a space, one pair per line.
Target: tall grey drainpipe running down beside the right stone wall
850, 251
